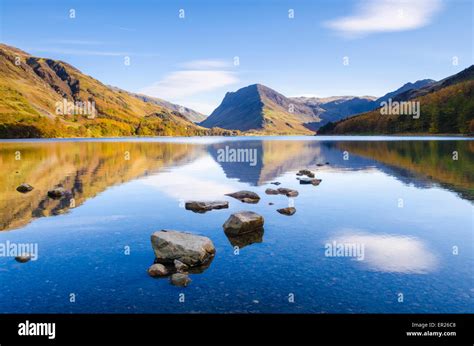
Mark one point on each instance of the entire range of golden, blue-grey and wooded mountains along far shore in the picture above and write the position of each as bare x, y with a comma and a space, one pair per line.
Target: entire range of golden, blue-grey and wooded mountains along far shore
32, 89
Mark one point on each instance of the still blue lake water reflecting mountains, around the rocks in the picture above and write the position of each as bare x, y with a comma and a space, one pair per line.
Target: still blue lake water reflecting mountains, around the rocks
405, 199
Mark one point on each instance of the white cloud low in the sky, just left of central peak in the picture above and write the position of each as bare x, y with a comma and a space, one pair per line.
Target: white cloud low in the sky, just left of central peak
179, 84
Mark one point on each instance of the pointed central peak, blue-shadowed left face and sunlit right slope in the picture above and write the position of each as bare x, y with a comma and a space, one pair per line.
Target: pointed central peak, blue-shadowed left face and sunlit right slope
259, 109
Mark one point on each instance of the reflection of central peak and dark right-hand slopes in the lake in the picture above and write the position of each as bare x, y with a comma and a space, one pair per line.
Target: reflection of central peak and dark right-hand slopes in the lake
418, 163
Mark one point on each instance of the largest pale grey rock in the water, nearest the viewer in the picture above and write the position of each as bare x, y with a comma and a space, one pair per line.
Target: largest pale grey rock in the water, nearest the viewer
190, 249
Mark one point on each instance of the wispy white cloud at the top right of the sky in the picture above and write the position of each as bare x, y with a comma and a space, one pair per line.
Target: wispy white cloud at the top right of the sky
375, 16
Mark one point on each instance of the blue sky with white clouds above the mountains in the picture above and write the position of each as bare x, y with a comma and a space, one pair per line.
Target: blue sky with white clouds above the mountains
193, 52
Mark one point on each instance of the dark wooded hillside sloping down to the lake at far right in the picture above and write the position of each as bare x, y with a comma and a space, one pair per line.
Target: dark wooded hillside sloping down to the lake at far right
446, 106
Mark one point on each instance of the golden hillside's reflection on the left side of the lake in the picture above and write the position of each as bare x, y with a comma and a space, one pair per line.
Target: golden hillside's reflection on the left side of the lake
83, 168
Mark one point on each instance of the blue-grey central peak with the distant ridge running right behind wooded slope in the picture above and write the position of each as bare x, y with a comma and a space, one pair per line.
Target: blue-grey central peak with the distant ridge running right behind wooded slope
261, 110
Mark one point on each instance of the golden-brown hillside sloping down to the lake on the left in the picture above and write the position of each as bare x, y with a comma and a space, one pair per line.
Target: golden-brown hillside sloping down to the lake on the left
42, 97
